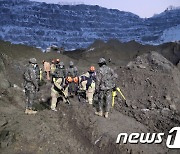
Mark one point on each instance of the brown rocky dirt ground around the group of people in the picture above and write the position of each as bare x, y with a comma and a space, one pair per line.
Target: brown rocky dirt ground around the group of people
150, 83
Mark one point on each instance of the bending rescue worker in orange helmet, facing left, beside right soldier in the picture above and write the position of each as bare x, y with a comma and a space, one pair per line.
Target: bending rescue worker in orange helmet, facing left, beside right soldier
87, 85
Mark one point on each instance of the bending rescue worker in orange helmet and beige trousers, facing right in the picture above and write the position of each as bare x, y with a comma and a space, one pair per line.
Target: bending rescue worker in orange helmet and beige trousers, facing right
60, 89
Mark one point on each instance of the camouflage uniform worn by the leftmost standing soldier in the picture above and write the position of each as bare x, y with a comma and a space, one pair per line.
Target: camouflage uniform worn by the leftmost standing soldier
30, 85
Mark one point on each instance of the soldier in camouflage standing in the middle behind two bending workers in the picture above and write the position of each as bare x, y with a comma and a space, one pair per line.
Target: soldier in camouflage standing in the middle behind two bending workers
72, 71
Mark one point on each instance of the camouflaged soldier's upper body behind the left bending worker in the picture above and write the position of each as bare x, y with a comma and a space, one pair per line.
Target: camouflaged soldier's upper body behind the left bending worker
60, 71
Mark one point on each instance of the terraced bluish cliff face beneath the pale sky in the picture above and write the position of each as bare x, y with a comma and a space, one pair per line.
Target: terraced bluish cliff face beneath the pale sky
76, 26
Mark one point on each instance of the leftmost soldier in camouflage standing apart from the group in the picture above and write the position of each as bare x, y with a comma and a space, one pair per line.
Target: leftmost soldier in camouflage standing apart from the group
30, 85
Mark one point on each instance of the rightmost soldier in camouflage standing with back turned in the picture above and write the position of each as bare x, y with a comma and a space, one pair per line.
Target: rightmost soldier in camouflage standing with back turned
105, 82
